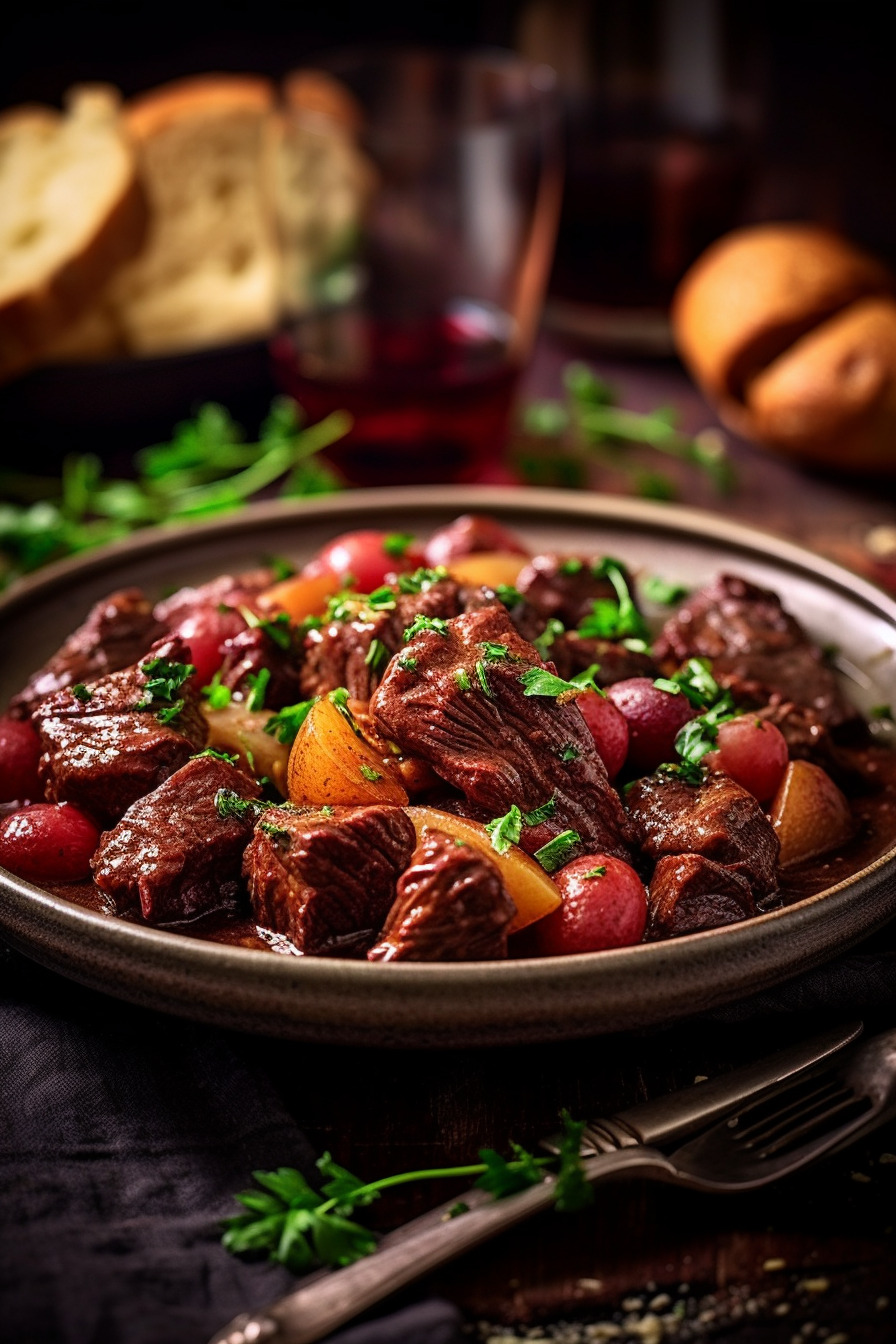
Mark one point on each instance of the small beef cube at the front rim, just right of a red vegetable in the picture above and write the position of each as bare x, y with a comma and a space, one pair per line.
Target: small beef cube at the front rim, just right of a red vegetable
690, 893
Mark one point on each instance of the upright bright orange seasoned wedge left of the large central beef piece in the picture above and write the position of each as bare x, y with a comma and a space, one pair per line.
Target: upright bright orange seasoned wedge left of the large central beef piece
330, 763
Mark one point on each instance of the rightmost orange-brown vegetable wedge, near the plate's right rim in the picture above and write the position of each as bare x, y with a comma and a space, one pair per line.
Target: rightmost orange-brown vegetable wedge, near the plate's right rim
809, 814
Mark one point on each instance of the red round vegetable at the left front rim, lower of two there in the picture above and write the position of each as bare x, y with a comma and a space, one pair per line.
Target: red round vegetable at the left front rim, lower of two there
52, 842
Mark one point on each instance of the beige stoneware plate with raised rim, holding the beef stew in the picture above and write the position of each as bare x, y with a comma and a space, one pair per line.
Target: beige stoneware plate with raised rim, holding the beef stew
478, 1003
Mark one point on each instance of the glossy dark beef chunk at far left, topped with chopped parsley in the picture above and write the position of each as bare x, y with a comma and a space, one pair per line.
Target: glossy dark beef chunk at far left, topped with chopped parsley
103, 753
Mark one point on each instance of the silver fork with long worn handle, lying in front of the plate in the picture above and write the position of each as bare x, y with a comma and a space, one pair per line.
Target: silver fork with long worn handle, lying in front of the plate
776, 1134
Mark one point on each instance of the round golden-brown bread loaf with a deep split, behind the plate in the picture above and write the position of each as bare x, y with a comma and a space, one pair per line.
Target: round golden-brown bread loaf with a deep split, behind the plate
792, 333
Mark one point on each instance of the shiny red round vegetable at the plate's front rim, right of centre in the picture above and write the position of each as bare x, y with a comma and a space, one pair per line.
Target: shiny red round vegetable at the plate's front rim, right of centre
605, 905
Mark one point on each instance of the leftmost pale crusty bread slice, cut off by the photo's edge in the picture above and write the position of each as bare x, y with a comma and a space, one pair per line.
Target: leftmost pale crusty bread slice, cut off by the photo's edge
72, 212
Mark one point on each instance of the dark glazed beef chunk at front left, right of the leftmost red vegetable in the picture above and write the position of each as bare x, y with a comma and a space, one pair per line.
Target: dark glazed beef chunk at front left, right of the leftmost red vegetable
173, 855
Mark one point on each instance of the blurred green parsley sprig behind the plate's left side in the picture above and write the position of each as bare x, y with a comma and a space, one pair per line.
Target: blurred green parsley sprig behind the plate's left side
208, 468
